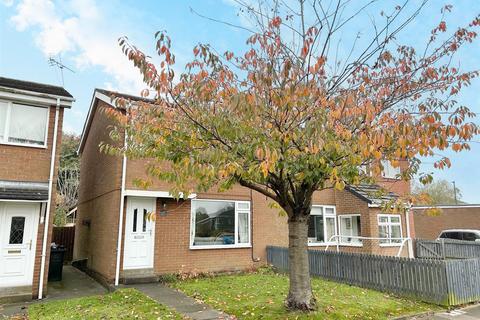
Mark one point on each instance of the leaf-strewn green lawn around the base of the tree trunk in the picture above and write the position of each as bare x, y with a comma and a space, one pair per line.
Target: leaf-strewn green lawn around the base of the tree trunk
260, 296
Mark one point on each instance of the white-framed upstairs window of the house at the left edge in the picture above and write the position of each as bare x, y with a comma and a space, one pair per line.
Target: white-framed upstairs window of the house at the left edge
23, 124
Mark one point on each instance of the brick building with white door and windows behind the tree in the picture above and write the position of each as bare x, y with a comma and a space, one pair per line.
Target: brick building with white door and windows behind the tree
209, 231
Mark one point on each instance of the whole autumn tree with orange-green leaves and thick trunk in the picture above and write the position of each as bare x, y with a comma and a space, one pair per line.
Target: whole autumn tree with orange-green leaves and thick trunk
285, 118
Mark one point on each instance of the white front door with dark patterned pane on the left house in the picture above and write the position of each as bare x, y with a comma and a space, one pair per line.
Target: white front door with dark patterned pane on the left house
18, 235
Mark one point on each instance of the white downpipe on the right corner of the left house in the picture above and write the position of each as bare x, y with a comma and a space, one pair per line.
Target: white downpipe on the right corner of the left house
49, 202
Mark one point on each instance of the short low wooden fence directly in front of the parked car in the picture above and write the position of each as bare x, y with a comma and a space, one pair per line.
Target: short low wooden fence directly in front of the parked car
447, 249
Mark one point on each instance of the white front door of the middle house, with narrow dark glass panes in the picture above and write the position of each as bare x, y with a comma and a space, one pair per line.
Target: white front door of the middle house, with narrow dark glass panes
139, 234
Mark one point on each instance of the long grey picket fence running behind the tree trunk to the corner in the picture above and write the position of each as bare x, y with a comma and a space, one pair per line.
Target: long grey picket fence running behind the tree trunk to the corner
416, 278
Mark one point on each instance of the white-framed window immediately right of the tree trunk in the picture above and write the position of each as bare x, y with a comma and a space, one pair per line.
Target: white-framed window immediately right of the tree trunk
322, 224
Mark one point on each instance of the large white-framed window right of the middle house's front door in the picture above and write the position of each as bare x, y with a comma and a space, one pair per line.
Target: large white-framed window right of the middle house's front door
220, 224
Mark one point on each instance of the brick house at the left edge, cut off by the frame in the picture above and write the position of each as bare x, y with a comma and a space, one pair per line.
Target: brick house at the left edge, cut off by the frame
31, 116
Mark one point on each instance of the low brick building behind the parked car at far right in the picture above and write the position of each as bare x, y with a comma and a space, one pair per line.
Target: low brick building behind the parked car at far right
428, 225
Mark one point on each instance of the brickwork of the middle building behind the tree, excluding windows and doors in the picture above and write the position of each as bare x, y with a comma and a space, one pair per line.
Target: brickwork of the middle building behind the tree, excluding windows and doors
99, 203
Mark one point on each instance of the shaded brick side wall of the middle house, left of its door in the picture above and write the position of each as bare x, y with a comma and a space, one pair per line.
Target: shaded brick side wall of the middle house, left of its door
99, 200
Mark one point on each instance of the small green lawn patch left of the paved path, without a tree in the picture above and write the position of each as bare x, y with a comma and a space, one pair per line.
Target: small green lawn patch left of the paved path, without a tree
122, 304
